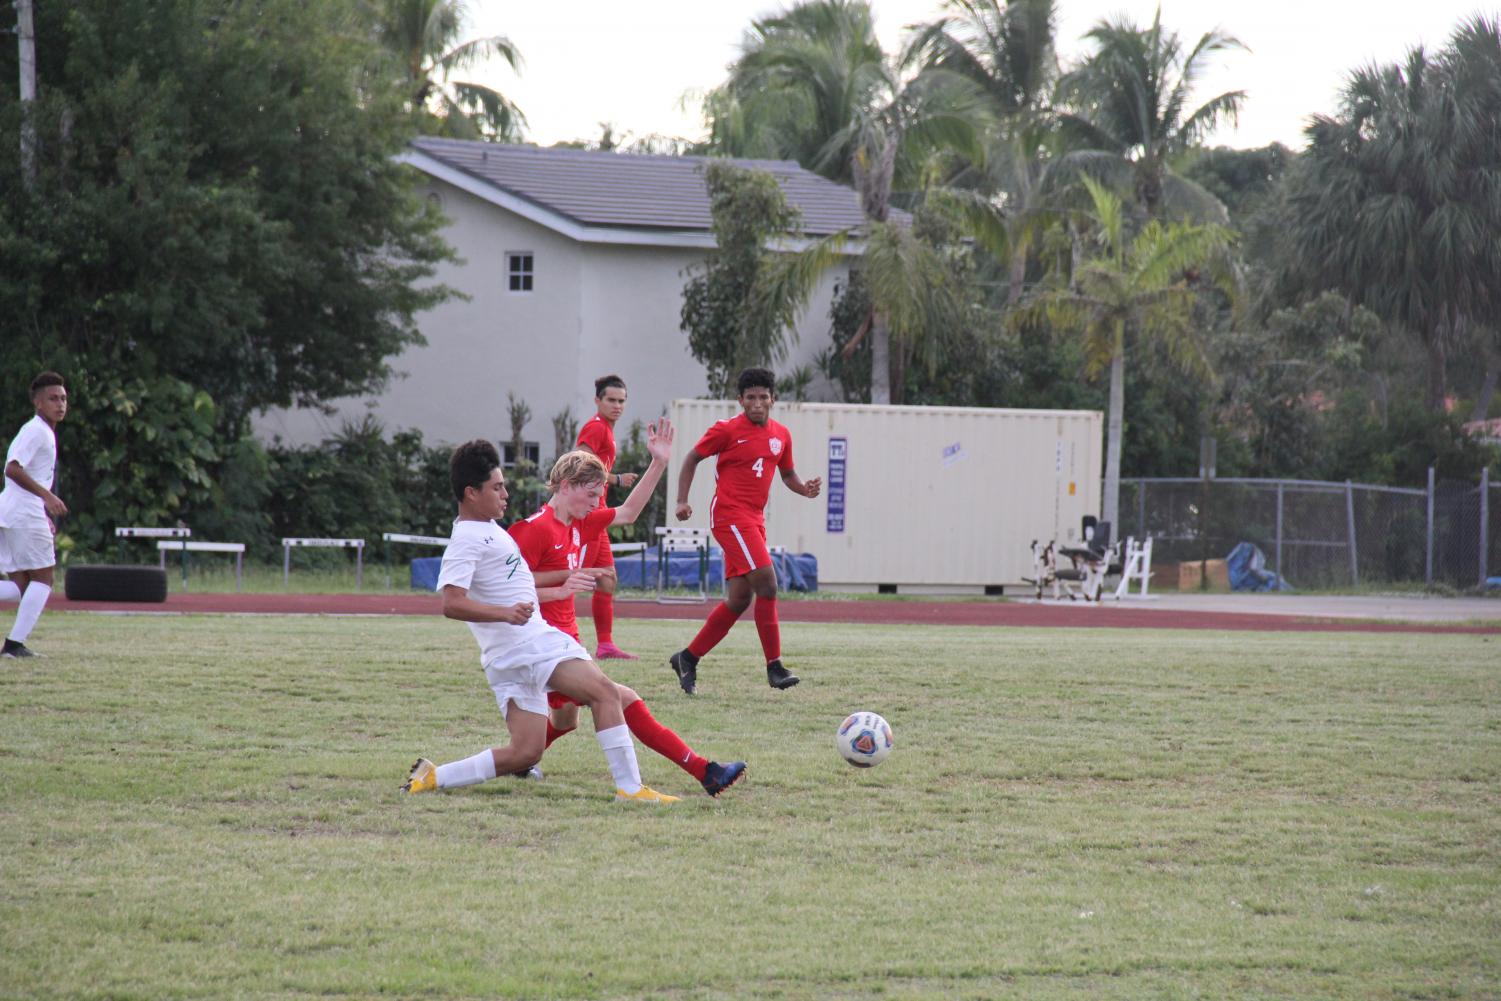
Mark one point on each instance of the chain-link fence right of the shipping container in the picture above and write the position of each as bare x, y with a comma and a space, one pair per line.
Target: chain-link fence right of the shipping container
1325, 535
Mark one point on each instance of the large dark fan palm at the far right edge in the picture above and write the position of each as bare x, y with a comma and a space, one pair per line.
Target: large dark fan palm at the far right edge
1398, 200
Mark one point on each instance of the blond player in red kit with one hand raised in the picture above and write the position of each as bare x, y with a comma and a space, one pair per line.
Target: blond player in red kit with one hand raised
556, 544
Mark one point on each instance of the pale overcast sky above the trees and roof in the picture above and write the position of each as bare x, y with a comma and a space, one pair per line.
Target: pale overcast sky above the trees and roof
631, 62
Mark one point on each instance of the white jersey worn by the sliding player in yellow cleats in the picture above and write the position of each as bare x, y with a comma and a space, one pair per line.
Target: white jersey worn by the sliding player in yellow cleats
484, 559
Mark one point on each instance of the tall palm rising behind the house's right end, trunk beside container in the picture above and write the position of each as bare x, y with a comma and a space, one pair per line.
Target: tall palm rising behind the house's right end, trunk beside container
814, 85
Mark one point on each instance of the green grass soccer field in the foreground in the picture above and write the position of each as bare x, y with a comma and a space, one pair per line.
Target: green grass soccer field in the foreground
206, 808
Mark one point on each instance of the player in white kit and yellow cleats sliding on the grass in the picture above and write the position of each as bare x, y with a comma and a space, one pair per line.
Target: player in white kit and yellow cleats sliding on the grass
487, 585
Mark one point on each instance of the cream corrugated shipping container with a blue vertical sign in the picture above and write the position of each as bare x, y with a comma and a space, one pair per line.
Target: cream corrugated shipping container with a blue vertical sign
918, 499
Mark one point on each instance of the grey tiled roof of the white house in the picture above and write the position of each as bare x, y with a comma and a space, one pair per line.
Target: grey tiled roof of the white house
634, 191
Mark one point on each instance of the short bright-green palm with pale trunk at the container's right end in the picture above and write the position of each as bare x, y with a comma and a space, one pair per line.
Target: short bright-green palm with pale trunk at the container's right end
1133, 289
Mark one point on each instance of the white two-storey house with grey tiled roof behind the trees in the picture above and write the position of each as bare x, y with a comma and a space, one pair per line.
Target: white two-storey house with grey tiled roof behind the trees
574, 266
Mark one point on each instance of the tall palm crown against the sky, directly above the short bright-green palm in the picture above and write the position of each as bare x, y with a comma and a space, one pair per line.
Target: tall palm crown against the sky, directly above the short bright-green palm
1131, 109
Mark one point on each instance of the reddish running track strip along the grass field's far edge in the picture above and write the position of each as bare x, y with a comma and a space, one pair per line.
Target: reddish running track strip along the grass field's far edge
1072, 616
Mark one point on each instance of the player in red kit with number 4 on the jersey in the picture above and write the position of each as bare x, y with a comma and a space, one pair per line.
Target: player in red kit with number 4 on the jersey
750, 449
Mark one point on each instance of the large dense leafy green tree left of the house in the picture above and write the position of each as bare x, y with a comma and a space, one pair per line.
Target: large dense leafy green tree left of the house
217, 226
